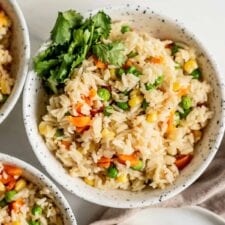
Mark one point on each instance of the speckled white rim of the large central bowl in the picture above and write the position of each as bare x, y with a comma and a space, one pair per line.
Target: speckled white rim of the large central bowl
195, 175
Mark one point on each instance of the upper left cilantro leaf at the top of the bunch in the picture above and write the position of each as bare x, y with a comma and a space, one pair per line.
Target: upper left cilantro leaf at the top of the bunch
61, 32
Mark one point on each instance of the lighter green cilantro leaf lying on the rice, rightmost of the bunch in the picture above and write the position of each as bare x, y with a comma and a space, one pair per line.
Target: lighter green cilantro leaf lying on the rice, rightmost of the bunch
112, 53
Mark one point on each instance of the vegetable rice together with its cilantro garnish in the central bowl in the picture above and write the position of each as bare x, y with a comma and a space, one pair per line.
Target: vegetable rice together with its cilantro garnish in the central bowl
126, 109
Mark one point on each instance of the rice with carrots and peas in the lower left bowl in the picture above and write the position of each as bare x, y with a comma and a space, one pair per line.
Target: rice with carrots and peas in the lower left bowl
24, 203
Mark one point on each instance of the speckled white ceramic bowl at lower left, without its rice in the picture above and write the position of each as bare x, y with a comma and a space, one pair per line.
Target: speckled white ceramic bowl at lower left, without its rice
35, 176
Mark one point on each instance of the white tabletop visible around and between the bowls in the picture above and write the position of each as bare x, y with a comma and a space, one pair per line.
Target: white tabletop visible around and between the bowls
204, 17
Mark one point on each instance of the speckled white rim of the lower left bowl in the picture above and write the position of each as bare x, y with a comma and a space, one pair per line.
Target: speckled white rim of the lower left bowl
44, 180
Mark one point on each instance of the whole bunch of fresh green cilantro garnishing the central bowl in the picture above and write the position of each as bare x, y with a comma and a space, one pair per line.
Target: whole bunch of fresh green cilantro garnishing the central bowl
72, 40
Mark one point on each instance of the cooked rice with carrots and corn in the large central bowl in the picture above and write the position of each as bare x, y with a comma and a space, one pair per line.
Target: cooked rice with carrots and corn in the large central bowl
150, 136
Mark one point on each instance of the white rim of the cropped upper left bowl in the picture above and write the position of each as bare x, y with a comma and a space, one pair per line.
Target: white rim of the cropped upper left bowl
8, 106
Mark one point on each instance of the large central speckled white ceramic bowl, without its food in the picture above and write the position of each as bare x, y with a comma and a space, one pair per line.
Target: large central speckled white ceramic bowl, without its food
161, 27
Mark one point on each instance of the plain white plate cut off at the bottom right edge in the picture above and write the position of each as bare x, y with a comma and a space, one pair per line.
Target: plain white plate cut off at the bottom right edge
184, 216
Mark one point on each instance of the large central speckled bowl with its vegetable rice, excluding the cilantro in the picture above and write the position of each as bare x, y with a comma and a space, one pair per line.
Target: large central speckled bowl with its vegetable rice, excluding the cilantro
134, 134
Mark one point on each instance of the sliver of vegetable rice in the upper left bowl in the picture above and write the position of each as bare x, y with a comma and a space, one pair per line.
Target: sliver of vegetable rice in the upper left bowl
6, 81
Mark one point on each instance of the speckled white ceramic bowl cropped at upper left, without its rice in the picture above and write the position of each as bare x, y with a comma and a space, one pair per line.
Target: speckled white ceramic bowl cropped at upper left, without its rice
20, 49
